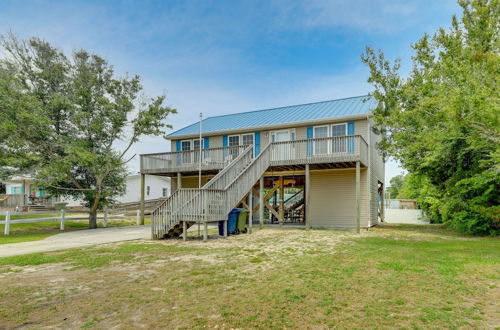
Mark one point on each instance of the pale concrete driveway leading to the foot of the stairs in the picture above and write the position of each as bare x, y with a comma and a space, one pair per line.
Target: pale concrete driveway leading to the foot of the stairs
76, 239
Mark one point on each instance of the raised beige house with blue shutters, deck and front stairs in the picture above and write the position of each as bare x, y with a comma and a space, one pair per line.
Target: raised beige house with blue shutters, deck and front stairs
312, 165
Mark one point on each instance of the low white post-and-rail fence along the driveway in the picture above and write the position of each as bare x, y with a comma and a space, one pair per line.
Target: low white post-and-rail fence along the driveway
61, 218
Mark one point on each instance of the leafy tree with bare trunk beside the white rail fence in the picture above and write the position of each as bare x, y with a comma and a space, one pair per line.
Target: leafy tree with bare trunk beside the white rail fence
78, 111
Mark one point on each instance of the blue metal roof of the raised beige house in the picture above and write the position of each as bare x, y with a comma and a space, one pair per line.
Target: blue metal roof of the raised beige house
346, 107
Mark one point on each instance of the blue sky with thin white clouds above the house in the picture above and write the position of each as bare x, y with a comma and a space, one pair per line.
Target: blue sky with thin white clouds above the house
227, 56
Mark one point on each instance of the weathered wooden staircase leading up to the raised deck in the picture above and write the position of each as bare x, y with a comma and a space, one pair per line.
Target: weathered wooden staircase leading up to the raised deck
214, 200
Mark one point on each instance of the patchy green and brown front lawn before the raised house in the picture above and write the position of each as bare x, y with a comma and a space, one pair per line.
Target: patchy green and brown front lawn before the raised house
403, 276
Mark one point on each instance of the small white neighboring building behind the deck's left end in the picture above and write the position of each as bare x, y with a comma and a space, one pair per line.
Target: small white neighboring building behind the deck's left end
155, 187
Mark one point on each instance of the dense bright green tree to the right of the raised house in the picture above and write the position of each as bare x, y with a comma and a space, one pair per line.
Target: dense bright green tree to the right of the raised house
442, 120
